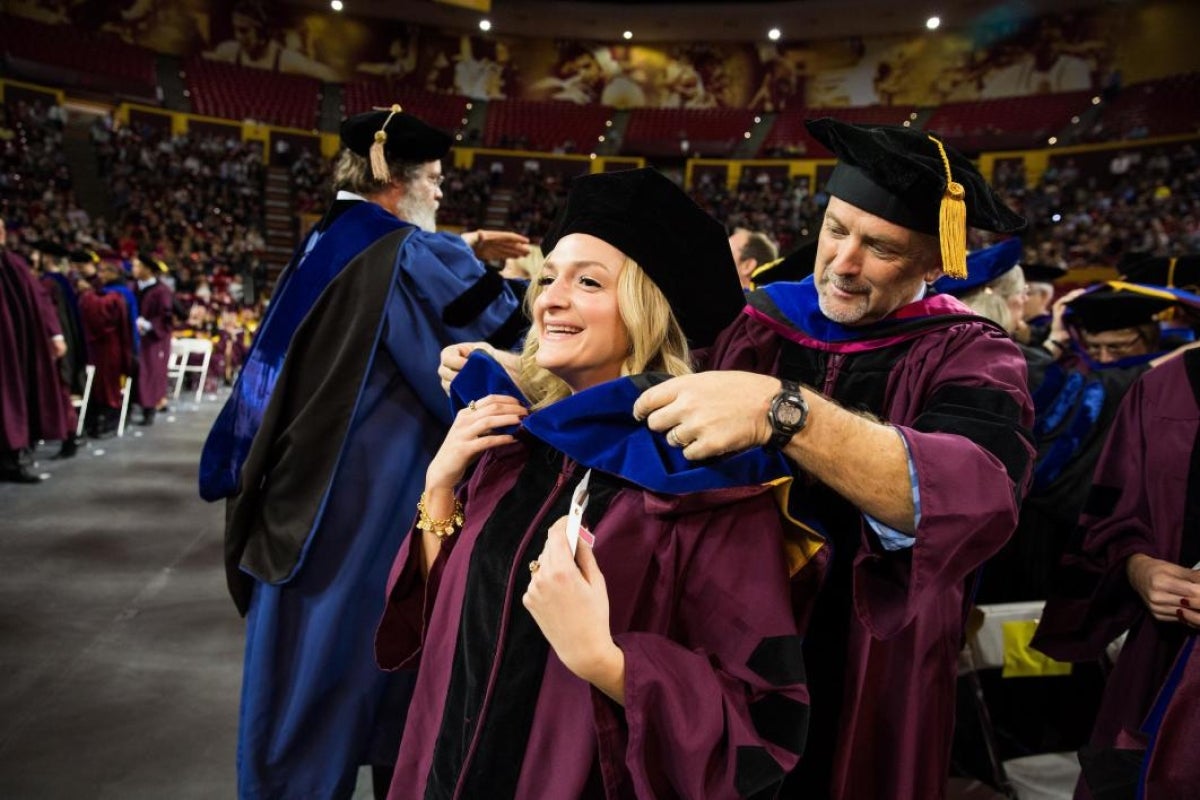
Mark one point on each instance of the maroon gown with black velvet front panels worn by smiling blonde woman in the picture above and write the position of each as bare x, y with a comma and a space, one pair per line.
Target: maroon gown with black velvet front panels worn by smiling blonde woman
716, 703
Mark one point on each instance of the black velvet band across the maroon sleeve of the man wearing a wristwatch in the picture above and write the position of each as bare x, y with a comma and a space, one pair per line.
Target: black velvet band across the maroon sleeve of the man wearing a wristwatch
986, 416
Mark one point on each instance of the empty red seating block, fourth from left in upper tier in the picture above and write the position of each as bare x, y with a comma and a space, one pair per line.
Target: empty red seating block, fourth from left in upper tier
544, 127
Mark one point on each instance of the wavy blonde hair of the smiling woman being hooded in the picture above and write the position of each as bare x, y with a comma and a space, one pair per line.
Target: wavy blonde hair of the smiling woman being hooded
657, 342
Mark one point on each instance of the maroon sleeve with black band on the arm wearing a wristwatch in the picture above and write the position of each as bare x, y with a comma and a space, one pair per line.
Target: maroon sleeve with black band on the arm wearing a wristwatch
962, 402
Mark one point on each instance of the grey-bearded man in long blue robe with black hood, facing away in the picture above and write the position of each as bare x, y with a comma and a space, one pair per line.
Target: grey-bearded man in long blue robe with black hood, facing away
322, 449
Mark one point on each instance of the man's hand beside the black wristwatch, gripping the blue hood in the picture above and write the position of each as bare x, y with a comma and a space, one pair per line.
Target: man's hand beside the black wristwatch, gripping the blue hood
711, 413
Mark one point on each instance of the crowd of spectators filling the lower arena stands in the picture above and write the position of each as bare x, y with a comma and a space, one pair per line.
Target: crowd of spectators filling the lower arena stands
197, 202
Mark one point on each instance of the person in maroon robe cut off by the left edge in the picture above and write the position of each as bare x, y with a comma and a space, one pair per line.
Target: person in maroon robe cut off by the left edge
32, 401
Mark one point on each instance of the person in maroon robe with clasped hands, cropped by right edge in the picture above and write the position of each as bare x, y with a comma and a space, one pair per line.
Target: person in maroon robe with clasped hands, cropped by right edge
1132, 568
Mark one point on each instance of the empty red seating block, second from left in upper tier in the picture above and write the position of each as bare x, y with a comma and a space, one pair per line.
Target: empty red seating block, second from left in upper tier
238, 93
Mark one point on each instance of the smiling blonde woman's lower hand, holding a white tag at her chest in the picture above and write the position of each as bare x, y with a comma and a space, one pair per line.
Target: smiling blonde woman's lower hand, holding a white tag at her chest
569, 601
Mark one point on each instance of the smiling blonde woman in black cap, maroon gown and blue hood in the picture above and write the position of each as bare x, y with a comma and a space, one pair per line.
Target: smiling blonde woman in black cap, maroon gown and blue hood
662, 660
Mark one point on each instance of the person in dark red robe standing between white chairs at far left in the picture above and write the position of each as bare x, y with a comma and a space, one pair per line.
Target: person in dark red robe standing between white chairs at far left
106, 324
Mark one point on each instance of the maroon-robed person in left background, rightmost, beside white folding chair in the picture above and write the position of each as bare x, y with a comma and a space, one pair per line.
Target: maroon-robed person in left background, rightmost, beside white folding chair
155, 323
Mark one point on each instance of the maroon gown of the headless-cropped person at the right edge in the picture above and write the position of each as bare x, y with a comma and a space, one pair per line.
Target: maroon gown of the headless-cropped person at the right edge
1145, 500
